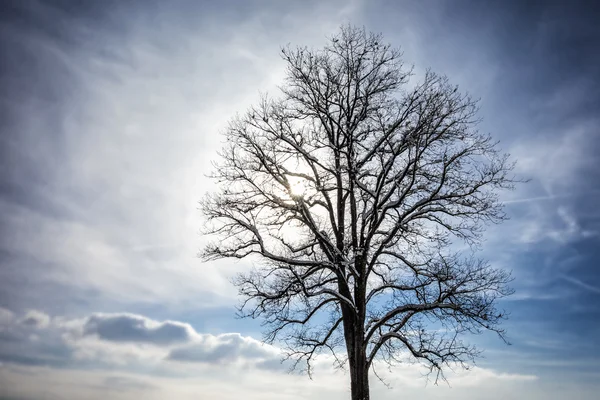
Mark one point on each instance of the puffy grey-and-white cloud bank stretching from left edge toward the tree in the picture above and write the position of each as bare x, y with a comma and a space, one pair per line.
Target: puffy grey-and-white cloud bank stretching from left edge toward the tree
130, 341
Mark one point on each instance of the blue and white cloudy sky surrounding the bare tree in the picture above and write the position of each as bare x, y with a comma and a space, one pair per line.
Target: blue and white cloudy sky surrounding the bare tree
110, 117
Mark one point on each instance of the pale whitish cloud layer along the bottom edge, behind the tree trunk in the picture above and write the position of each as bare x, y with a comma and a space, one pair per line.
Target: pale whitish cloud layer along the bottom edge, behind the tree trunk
215, 381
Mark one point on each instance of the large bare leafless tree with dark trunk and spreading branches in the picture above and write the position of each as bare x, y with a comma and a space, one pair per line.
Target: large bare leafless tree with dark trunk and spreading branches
352, 188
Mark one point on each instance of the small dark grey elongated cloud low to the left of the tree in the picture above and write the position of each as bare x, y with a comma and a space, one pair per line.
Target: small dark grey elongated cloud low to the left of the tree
136, 328
